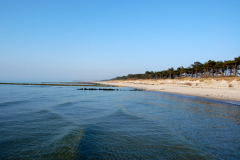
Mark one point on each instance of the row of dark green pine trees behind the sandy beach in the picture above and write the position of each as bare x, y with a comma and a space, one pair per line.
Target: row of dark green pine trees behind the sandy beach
210, 68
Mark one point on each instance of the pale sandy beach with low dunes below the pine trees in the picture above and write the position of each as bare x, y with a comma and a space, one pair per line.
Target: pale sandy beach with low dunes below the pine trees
218, 88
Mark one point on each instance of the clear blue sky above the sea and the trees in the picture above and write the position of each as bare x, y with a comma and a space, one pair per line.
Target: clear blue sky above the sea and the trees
86, 40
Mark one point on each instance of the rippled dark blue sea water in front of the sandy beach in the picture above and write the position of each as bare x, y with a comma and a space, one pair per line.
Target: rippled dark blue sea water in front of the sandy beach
52, 122
